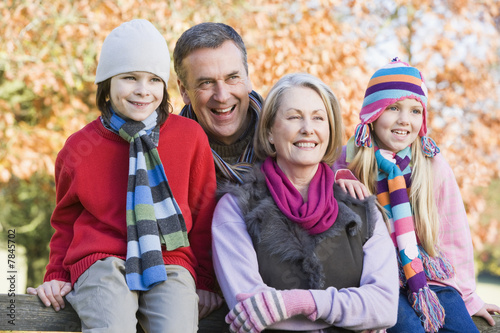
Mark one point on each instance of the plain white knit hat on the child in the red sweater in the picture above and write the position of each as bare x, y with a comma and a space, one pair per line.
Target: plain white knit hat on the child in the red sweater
134, 46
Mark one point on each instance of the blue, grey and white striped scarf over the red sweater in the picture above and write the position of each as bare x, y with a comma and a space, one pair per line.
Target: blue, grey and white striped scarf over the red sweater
153, 216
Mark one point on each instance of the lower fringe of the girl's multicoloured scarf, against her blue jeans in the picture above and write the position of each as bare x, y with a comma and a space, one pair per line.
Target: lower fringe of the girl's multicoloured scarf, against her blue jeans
426, 304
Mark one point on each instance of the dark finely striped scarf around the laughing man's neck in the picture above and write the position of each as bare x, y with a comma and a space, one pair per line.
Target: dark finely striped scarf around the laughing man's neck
234, 172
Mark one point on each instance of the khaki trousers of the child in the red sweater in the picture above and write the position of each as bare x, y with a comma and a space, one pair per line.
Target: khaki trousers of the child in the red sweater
104, 302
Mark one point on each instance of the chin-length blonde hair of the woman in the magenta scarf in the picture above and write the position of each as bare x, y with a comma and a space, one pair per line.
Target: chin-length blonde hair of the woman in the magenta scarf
263, 148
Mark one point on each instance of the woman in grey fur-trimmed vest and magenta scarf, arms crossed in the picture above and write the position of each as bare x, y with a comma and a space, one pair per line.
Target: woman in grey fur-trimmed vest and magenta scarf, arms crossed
287, 242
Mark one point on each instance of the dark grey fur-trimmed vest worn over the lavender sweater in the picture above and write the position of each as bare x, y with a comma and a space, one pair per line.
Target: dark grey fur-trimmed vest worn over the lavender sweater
289, 257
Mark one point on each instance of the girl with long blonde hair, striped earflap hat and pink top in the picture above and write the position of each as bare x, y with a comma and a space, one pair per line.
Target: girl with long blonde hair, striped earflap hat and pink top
391, 155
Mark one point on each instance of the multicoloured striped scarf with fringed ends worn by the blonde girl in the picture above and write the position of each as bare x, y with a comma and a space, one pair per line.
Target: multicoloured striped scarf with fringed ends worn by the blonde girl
393, 184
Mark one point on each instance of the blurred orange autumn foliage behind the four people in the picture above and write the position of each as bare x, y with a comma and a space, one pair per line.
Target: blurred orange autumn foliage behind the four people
49, 52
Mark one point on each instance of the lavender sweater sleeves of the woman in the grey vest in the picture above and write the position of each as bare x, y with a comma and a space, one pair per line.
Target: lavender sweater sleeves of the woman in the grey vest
372, 305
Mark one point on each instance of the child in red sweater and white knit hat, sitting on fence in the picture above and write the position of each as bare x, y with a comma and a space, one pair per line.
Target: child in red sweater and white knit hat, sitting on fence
135, 197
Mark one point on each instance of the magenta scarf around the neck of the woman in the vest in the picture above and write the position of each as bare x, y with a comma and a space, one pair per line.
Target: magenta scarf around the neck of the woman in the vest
319, 212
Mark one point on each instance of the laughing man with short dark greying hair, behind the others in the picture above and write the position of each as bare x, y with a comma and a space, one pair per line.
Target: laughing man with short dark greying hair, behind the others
210, 60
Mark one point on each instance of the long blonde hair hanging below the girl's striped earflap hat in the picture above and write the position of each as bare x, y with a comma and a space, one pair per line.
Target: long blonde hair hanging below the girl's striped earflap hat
424, 208
